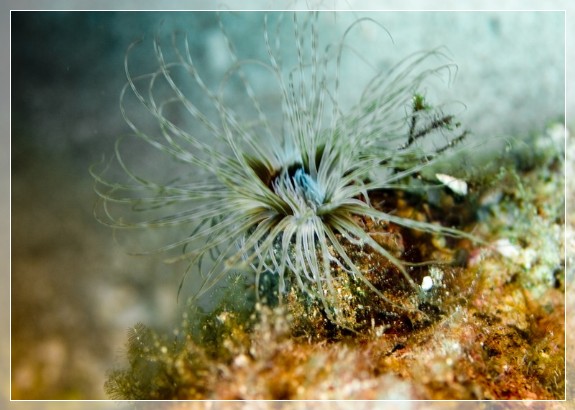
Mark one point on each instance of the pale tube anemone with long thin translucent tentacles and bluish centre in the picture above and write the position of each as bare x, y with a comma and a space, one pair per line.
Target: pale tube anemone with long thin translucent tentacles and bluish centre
274, 165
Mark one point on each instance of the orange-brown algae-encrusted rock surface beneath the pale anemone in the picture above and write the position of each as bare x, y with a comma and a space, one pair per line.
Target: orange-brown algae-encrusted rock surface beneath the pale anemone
497, 331
